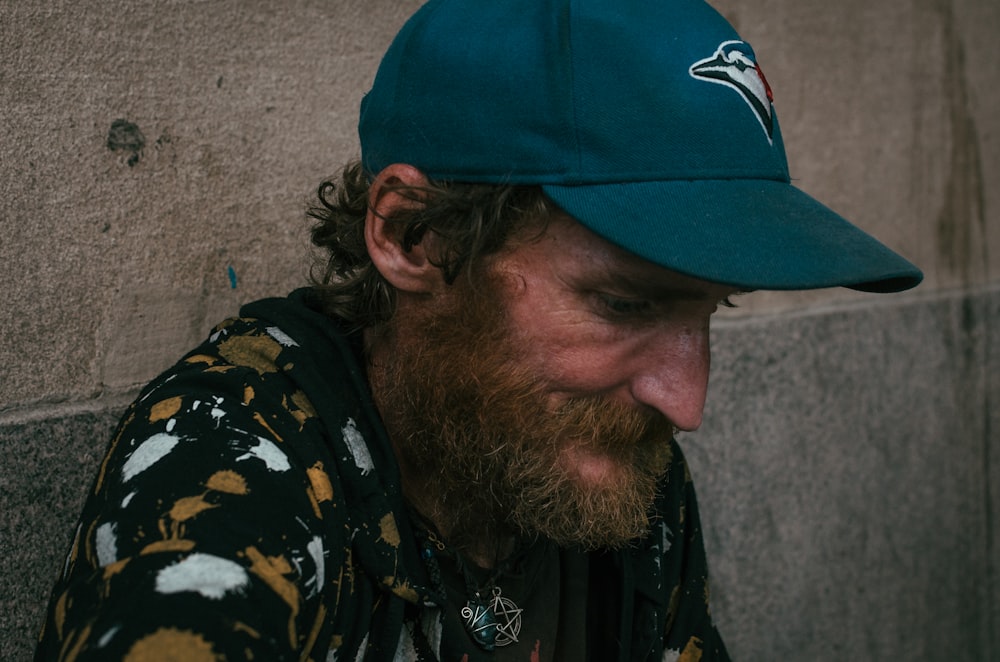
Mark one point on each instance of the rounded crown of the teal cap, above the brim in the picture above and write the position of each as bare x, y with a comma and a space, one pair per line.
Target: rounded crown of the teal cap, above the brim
570, 92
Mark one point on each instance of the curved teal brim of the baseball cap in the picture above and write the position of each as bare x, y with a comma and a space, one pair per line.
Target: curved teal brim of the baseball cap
750, 233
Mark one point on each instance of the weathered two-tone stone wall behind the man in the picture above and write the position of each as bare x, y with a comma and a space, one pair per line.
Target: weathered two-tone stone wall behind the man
847, 468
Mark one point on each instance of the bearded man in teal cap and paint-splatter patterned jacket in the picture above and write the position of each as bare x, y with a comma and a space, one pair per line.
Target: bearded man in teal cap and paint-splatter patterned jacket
459, 444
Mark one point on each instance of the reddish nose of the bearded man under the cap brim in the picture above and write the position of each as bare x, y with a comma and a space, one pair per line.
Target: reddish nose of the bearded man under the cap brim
672, 376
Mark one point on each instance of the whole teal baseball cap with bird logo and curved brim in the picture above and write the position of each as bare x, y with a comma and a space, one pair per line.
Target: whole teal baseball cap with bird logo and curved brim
648, 121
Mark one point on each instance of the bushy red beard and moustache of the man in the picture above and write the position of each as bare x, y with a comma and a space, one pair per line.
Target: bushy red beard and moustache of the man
482, 452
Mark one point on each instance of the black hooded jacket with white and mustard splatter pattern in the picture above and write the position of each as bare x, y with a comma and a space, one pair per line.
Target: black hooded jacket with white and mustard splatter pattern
249, 507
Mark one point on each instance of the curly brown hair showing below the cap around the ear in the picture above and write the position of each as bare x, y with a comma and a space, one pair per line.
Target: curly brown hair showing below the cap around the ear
472, 221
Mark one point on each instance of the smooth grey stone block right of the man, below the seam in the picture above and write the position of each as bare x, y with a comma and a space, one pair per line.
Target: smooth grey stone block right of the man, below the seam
848, 474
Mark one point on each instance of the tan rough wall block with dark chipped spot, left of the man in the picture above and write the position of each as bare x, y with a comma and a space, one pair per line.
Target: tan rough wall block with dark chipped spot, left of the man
116, 259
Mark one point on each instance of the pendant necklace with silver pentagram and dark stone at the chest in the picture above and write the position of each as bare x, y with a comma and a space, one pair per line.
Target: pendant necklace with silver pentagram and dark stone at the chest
491, 619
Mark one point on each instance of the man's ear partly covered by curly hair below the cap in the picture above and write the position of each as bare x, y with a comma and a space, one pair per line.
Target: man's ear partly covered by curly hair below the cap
408, 270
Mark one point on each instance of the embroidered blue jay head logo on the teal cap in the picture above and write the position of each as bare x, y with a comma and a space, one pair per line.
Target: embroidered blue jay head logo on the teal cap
733, 65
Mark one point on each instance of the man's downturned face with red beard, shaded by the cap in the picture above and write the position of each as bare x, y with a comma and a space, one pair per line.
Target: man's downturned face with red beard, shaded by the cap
545, 396
